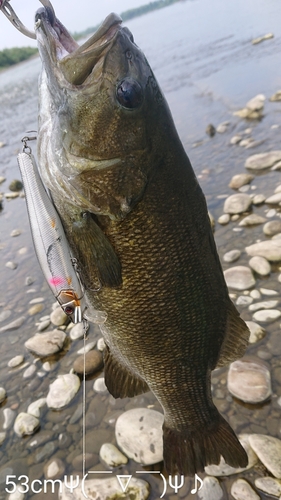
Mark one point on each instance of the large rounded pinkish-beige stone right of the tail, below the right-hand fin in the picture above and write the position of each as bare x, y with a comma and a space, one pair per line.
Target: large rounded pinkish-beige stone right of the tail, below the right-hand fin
249, 380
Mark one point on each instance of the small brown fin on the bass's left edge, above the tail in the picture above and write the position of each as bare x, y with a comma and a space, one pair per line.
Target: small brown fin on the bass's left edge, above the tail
120, 382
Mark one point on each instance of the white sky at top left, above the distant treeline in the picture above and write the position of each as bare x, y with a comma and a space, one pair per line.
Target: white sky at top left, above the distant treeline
75, 15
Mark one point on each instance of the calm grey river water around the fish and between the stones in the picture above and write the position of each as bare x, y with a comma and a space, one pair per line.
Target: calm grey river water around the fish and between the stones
202, 56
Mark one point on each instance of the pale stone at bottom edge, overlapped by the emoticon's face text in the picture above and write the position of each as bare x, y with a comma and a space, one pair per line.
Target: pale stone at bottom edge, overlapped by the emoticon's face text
109, 489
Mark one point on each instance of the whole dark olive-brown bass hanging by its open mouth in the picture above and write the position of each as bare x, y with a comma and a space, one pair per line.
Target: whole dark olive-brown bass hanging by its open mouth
137, 222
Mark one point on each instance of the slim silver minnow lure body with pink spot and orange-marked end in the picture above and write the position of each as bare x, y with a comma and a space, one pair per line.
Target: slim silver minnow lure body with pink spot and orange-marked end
51, 245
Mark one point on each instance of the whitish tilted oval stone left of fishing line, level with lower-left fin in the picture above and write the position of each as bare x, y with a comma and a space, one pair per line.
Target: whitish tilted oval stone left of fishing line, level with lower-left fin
63, 390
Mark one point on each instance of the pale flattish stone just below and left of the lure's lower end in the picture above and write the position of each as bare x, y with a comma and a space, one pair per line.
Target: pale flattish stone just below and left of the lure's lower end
45, 344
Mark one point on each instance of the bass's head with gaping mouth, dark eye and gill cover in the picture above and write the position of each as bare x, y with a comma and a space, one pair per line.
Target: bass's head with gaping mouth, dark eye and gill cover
101, 110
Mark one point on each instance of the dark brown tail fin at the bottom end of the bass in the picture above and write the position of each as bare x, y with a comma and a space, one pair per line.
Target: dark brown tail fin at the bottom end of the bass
189, 452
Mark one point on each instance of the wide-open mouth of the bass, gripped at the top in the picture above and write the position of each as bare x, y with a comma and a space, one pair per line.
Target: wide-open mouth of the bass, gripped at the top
76, 62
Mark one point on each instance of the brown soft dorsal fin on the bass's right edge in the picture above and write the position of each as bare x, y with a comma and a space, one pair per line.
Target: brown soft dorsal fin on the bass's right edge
236, 338
